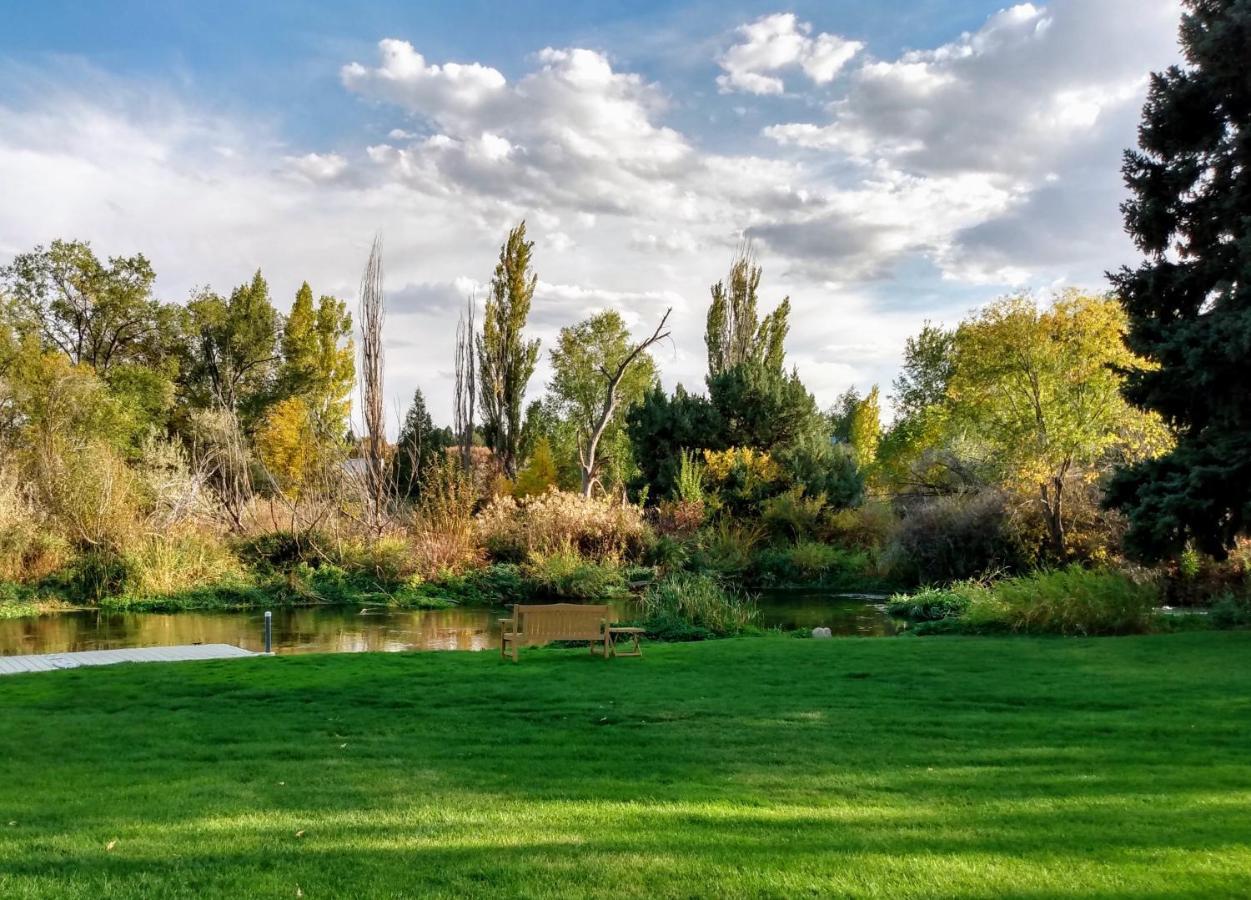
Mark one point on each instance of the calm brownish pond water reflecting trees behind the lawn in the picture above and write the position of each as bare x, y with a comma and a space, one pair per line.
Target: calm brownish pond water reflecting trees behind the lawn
350, 630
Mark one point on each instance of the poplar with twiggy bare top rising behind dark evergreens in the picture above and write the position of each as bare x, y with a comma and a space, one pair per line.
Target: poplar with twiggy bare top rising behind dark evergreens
735, 334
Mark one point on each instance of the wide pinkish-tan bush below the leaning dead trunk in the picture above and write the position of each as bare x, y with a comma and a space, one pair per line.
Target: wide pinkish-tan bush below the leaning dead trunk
597, 529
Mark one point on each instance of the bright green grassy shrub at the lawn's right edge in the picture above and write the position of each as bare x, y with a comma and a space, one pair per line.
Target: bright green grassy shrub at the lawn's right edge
1068, 601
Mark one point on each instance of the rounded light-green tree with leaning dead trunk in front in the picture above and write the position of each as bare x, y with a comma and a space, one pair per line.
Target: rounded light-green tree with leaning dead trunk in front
599, 376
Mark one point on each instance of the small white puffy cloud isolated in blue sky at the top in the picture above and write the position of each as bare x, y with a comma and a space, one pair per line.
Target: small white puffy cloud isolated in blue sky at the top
780, 42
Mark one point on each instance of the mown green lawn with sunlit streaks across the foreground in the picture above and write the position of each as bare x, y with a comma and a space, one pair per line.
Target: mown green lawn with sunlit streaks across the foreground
769, 767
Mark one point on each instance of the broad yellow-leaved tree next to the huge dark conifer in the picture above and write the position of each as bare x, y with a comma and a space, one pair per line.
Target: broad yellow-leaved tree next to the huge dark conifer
1040, 389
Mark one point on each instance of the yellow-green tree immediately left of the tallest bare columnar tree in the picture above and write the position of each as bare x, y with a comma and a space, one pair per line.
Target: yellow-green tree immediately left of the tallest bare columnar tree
318, 359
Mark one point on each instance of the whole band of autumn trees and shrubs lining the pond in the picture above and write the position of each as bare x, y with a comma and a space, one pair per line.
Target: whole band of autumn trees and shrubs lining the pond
205, 459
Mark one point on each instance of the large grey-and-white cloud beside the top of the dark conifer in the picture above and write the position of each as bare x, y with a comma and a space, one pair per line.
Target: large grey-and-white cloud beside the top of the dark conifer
981, 127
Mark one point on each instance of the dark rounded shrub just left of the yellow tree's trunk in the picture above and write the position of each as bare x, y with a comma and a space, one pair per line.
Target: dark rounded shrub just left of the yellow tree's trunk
949, 539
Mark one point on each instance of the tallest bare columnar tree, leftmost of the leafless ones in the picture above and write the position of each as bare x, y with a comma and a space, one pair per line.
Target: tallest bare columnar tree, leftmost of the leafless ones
377, 475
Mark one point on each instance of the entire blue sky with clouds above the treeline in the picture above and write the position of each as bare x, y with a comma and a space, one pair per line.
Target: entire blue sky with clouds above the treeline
890, 163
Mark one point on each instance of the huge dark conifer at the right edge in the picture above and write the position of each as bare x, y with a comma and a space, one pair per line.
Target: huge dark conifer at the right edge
1190, 301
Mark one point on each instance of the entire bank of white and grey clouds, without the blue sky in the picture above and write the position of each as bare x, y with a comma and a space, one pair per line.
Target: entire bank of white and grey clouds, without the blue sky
989, 160
